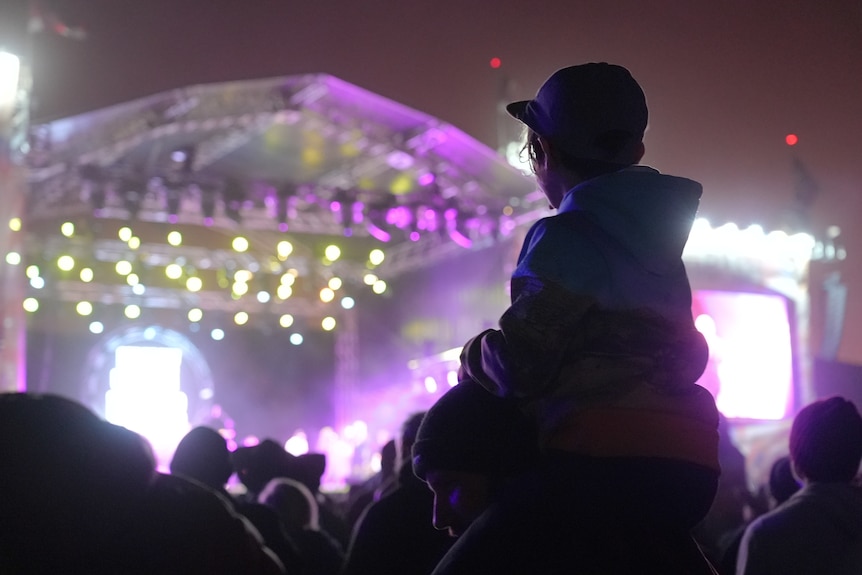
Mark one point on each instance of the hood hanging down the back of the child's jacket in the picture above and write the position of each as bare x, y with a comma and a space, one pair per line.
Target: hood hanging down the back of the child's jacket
650, 213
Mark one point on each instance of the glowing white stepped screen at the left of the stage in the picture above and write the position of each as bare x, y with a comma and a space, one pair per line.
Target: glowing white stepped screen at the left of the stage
146, 397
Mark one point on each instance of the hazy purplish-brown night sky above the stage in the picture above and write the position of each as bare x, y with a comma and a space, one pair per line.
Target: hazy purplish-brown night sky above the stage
726, 81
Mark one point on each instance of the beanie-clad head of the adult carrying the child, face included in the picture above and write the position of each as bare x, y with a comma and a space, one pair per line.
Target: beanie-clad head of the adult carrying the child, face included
469, 445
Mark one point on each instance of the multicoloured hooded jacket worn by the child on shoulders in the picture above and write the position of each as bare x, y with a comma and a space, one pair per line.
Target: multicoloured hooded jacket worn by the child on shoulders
599, 340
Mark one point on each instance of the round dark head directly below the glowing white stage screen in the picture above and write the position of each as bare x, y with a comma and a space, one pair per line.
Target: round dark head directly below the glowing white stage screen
203, 455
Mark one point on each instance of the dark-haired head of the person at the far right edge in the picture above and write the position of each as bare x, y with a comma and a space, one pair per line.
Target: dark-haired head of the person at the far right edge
826, 441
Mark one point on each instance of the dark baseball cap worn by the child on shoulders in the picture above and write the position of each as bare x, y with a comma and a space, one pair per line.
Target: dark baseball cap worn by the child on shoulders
577, 105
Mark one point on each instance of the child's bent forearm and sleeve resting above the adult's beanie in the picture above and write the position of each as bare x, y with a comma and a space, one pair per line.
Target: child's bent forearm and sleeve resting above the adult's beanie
524, 357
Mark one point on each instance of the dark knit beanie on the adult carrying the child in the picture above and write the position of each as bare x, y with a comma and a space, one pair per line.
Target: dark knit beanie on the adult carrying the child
469, 429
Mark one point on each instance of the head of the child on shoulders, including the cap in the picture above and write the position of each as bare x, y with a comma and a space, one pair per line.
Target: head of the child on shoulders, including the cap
585, 121
